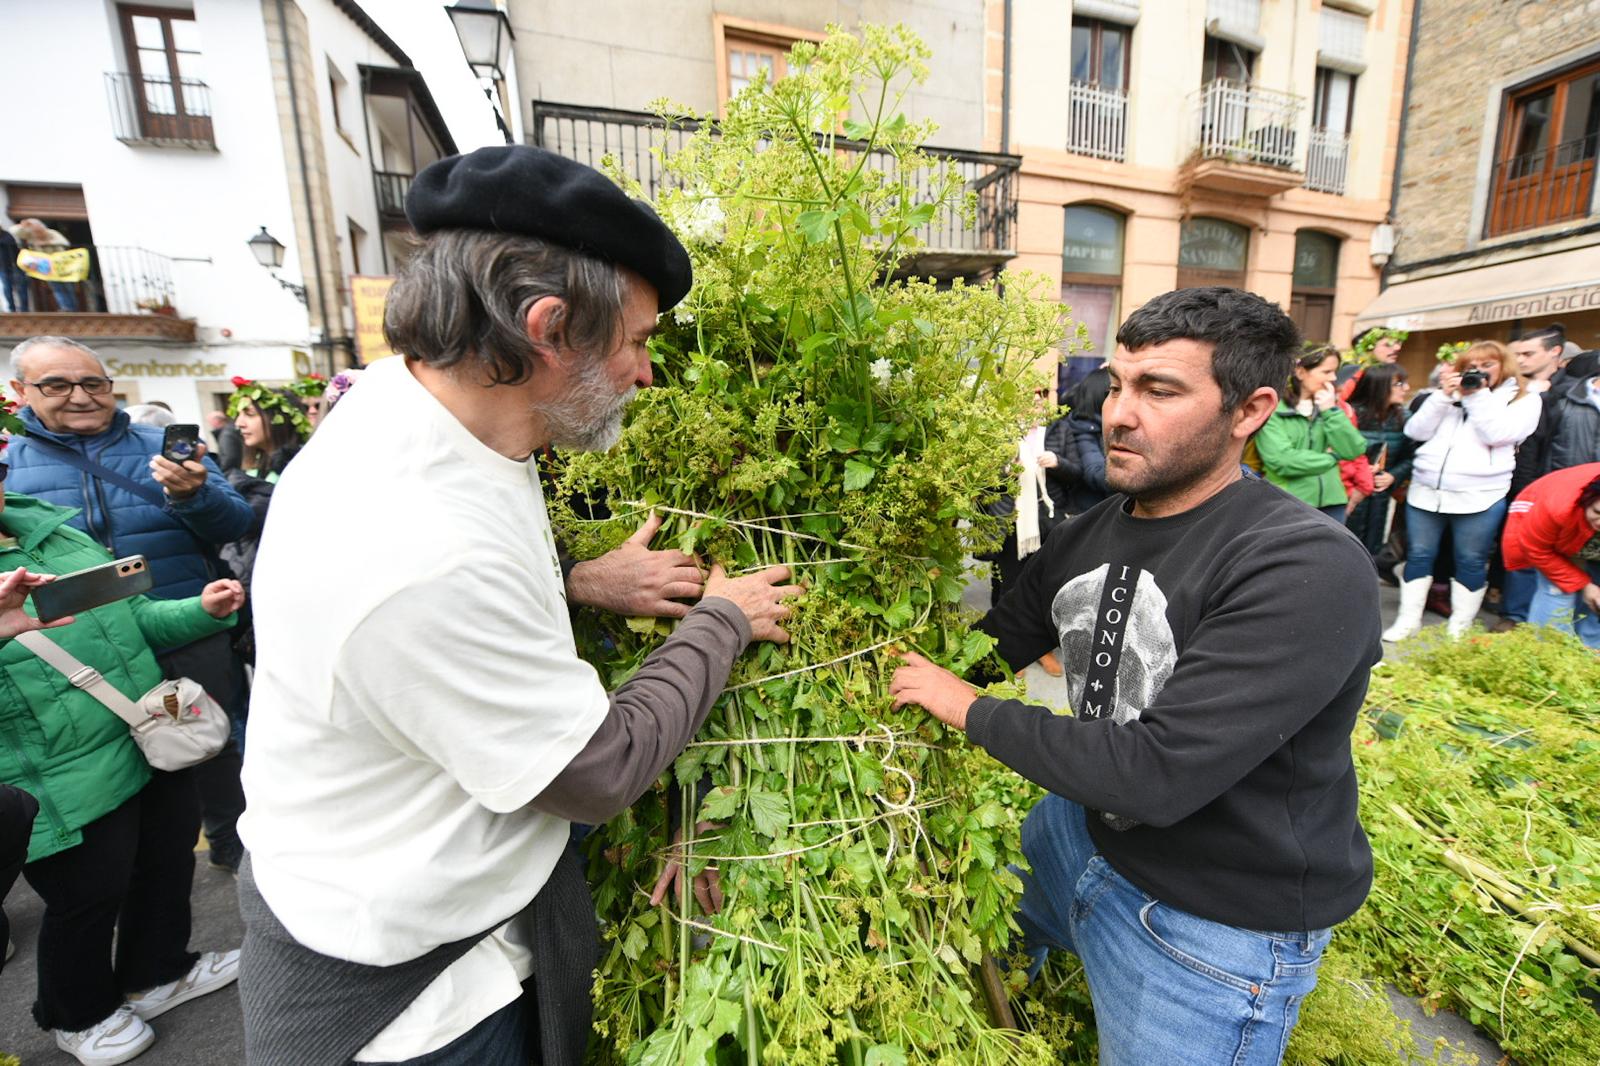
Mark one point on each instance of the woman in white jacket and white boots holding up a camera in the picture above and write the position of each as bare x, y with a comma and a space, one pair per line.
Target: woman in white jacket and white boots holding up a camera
1468, 430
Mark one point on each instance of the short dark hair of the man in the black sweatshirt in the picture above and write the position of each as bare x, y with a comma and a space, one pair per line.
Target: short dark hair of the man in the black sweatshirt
1254, 343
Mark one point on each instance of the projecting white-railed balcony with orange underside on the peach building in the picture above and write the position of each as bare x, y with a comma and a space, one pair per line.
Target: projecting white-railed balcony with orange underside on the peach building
1246, 140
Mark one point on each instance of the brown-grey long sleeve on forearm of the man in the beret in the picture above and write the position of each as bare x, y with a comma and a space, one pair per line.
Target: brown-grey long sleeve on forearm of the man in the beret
654, 716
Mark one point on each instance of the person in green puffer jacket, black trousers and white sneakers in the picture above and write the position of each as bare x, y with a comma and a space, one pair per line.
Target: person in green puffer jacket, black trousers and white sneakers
113, 846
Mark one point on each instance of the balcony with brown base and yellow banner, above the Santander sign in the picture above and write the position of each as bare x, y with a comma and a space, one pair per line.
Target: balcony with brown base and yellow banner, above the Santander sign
129, 295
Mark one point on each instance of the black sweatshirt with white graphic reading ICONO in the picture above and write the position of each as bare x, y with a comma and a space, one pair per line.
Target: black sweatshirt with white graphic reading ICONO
1228, 651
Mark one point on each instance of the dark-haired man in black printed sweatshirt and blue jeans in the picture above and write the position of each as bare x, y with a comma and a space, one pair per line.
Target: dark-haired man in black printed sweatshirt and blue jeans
1201, 835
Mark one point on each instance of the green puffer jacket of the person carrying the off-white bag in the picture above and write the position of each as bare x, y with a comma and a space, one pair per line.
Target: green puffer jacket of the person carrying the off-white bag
58, 743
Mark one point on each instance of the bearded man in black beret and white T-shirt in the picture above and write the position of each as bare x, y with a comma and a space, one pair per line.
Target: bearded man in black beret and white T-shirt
423, 737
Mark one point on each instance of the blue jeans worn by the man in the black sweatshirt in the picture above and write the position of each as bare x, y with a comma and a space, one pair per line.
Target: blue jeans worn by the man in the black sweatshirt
1167, 987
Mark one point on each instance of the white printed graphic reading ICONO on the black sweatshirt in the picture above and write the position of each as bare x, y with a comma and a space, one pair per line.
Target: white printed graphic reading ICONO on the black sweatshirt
1116, 646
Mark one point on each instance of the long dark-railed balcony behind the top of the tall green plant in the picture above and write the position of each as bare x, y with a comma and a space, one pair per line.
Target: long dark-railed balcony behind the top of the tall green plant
951, 246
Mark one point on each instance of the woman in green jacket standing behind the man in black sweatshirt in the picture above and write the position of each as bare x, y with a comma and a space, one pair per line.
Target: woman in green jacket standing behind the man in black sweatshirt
1306, 438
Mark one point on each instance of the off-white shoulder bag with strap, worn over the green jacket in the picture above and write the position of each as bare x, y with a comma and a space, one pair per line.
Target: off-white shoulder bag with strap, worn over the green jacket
175, 724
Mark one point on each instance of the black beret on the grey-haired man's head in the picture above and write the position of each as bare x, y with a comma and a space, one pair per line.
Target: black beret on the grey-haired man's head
524, 190
